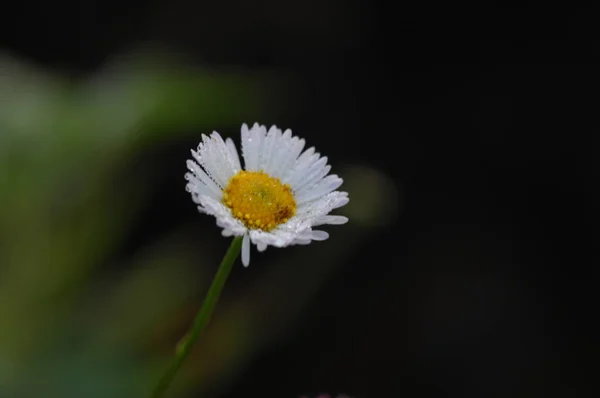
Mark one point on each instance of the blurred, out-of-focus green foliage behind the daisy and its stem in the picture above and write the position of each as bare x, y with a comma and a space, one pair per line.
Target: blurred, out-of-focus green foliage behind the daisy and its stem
69, 331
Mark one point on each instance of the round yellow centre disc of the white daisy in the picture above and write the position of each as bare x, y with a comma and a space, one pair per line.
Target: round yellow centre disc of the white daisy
259, 200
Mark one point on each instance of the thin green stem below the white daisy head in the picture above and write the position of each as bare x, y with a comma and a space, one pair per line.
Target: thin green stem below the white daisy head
202, 318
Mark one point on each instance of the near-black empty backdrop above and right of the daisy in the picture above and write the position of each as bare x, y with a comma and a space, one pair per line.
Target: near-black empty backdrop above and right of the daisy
482, 116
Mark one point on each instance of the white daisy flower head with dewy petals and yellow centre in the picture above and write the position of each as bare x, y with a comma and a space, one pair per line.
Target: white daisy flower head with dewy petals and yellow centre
276, 199
